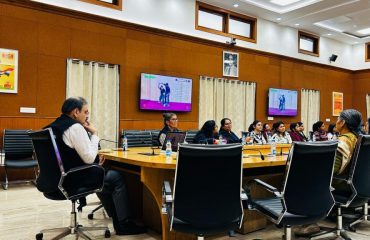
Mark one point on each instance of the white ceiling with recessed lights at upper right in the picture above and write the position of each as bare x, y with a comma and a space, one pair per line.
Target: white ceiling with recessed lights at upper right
337, 19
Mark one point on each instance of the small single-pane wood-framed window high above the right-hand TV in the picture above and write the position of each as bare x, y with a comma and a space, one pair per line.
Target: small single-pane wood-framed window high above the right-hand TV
308, 43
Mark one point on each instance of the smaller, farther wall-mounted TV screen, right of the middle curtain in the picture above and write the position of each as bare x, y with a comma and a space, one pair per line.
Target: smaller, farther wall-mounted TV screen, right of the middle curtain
282, 102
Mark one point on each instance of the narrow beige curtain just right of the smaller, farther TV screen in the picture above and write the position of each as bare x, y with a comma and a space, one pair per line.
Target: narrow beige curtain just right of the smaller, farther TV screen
310, 108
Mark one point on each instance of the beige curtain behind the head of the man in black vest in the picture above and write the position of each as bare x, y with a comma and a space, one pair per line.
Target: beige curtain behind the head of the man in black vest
98, 83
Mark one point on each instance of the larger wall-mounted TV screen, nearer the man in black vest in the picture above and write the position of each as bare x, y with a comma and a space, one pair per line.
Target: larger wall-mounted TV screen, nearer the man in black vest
165, 93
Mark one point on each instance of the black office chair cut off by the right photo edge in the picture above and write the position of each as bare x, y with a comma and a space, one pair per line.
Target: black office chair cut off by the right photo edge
357, 181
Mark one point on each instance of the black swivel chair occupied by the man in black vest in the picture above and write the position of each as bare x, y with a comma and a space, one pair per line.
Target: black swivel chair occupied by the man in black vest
52, 178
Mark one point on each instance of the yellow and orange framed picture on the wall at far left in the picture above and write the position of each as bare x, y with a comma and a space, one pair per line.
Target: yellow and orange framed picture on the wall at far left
8, 71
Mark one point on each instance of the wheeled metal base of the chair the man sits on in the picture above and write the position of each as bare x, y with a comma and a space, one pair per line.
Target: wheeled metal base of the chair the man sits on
75, 229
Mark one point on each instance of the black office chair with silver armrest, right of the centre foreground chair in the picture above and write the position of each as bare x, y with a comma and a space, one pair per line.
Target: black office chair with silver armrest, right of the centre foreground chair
306, 196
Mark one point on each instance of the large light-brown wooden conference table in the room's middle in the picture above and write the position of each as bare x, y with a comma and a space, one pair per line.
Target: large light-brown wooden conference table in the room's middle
153, 170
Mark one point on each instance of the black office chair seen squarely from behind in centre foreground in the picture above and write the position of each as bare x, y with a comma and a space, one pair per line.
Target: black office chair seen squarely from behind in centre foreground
207, 189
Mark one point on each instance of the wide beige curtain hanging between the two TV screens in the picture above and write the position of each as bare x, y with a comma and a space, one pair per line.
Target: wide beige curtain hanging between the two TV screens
219, 98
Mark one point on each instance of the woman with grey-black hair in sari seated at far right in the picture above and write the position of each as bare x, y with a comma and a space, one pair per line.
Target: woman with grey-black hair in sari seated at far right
349, 127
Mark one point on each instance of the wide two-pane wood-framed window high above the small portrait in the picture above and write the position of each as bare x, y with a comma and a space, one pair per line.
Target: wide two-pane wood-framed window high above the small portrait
226, 23
